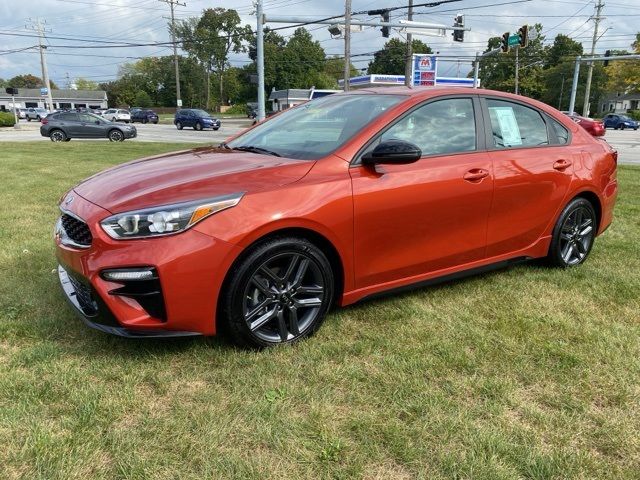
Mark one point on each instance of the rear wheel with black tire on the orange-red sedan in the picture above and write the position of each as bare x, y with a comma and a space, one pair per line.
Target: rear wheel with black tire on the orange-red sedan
573, 234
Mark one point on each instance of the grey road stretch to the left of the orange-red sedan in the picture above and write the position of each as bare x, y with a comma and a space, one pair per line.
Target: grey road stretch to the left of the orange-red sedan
30, 131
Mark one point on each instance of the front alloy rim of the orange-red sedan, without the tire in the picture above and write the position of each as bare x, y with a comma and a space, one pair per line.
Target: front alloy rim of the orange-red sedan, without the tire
283, 297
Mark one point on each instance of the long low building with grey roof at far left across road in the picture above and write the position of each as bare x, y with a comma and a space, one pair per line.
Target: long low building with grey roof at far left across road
32, 97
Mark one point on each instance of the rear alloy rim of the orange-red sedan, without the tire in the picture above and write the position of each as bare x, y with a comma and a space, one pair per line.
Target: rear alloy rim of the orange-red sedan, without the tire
576, 236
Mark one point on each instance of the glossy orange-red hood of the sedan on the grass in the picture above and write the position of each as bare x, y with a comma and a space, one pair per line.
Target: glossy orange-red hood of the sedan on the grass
188, 175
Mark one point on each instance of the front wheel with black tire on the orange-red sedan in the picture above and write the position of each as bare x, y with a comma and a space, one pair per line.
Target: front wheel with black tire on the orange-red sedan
278, 293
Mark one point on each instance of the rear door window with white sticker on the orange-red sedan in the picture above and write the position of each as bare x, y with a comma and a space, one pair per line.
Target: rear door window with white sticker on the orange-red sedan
513, 125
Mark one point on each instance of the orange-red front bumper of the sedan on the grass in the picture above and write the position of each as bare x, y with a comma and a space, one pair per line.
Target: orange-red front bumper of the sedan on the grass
190, 266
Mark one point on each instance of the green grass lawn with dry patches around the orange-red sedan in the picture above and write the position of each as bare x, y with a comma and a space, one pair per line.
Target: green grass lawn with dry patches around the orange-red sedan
524, 373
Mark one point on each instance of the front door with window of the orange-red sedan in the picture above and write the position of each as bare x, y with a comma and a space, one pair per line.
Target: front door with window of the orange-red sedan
429, 215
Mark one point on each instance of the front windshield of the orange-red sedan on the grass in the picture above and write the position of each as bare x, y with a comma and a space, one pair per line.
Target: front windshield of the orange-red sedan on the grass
316, 128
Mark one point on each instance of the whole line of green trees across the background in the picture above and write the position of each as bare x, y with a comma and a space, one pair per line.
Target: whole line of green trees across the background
208, 80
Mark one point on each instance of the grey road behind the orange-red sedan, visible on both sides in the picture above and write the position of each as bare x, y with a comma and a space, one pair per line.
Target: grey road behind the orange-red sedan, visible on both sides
627, 142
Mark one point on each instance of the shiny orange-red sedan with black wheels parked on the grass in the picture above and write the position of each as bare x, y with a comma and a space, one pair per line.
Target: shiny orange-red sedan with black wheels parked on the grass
331, 202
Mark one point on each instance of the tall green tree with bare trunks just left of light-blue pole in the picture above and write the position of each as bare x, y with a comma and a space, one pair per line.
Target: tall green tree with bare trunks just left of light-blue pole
210, 39
